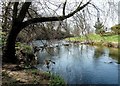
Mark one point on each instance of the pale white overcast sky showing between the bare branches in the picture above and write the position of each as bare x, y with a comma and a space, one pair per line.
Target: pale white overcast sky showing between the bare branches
108, 11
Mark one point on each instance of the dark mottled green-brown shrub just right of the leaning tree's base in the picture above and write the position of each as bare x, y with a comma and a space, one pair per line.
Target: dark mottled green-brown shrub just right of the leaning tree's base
28, 57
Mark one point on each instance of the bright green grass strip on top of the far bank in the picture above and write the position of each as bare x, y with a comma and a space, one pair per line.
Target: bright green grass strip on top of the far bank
96, 38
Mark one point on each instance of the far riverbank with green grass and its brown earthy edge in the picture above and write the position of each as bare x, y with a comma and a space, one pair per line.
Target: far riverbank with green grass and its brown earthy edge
95, 39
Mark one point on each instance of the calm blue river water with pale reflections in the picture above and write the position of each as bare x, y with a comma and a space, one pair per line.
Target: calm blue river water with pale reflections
81, 64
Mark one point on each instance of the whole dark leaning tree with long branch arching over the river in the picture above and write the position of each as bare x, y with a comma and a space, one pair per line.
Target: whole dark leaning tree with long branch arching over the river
19, 22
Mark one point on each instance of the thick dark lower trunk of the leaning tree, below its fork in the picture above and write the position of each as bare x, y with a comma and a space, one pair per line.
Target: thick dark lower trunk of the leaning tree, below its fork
9, 52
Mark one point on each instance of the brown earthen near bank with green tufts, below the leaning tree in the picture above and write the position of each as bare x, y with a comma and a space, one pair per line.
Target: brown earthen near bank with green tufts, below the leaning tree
12, 75
